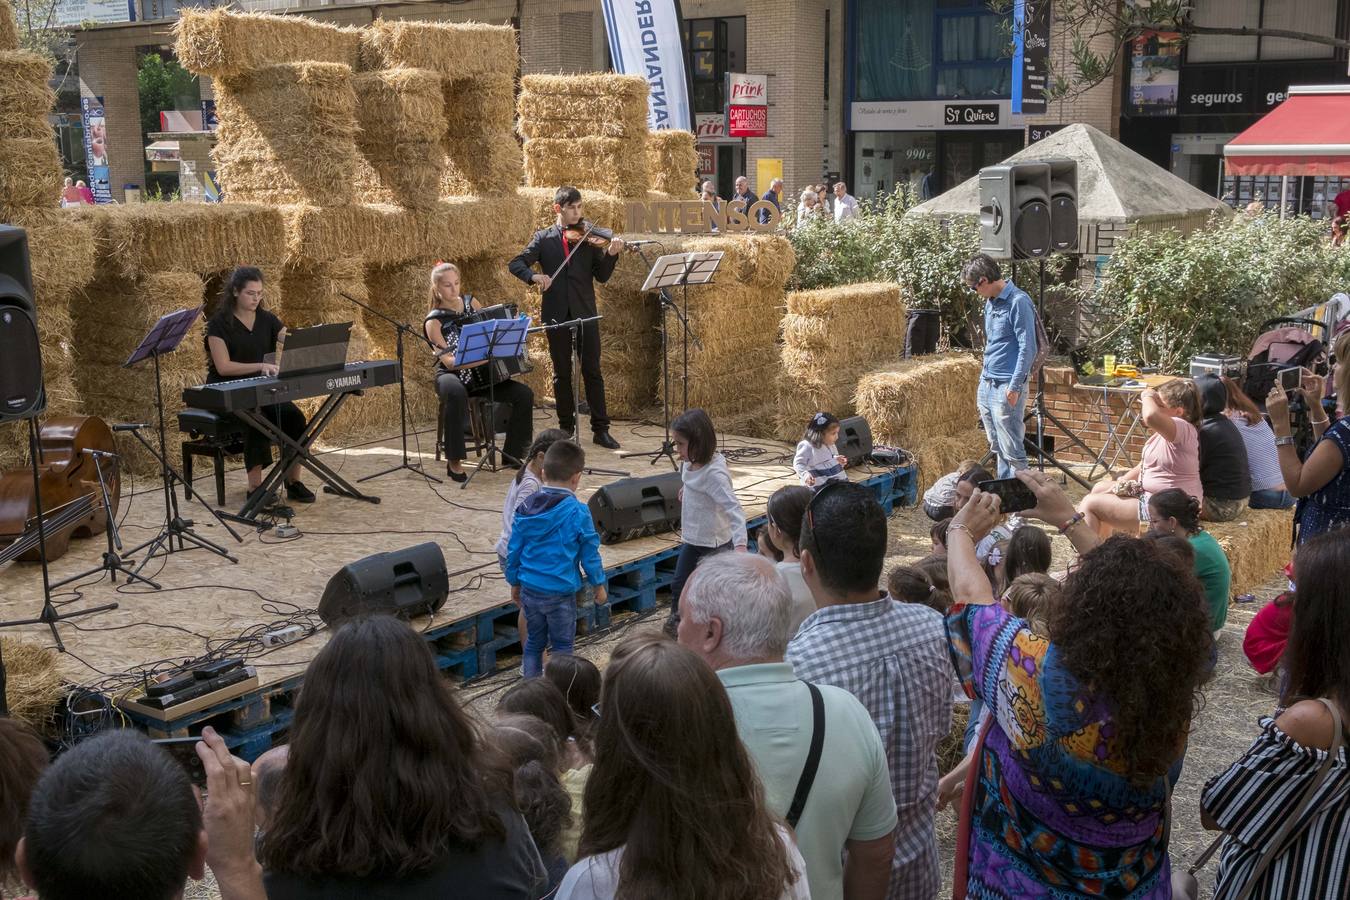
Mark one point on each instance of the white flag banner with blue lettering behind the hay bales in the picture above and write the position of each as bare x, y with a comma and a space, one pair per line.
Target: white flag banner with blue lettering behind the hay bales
645, 40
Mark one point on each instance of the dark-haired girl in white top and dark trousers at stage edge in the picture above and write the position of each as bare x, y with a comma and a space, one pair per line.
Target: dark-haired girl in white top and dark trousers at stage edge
711, 517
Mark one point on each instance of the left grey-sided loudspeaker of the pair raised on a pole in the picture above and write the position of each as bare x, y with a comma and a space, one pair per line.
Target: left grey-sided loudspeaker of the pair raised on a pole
1016, 211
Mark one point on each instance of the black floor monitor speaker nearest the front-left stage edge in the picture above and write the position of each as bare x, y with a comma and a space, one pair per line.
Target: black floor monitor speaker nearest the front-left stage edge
404, 584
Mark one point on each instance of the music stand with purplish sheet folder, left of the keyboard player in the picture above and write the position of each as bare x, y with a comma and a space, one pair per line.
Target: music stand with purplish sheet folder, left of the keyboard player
164, 338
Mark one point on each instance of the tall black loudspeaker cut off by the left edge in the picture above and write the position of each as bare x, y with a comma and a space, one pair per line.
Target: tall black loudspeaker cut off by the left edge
21, 353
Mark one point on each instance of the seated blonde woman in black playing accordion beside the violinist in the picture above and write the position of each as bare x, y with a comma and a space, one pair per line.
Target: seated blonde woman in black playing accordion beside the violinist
456, 385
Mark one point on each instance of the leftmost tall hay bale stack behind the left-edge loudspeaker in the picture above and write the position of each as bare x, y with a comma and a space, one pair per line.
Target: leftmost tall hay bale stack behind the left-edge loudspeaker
60, 248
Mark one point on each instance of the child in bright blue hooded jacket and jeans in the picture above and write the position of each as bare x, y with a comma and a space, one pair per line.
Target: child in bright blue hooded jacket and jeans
551, 538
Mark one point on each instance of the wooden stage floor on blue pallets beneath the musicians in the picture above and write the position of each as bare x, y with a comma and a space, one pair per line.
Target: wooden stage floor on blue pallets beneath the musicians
207, 604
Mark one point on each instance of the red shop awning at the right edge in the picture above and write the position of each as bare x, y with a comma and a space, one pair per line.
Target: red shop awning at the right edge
1309, 134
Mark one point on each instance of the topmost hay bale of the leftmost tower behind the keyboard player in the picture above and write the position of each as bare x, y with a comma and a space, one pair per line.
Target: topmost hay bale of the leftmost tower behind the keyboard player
223, 44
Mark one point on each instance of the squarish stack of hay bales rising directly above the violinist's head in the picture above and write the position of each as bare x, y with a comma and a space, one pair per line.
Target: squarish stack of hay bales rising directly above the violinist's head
588, 132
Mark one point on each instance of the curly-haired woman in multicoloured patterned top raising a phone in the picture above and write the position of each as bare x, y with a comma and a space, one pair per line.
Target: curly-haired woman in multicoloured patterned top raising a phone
1087, 721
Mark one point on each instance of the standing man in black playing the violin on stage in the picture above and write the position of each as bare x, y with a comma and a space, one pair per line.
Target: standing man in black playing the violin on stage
572, 296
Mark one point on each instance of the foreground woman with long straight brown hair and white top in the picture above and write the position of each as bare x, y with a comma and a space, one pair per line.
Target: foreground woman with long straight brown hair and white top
674, 810
